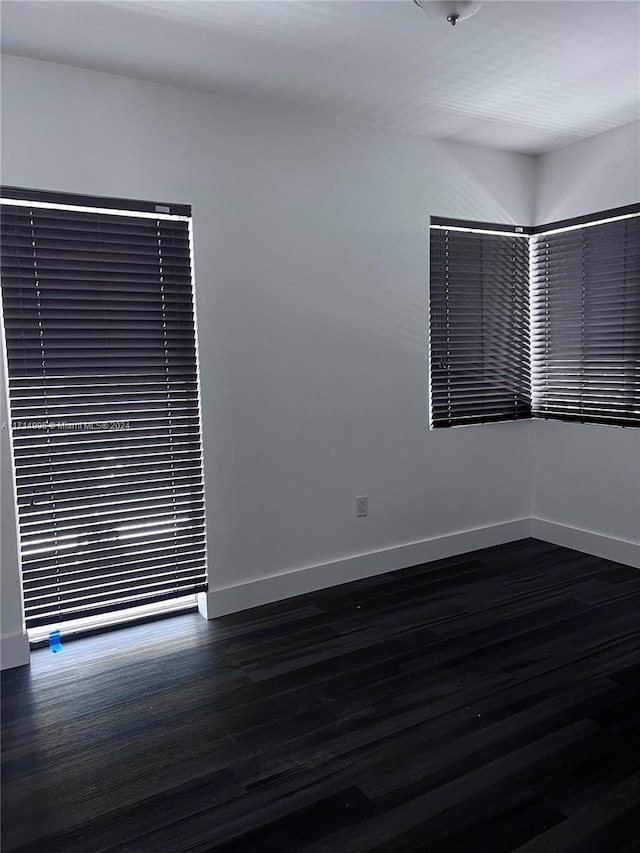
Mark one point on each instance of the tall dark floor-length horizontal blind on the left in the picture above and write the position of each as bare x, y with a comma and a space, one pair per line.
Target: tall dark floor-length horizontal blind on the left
103, 387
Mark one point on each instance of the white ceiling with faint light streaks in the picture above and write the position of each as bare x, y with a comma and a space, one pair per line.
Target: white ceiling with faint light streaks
525, 75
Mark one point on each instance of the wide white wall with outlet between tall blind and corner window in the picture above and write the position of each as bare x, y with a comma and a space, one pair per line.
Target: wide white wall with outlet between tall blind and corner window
311, 277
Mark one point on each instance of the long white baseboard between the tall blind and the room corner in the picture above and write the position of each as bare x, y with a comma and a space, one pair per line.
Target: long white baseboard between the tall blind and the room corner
231, 599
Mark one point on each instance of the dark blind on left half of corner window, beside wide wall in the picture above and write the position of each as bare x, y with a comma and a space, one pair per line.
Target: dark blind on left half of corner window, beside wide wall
479, 327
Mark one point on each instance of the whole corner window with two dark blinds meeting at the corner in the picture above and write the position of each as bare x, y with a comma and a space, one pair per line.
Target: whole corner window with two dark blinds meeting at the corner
572, 354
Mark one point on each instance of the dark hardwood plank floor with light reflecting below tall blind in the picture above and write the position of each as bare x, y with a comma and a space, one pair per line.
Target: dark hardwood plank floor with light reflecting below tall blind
489, 702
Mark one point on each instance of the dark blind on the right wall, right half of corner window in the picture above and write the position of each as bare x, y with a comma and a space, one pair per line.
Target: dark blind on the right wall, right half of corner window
585, 290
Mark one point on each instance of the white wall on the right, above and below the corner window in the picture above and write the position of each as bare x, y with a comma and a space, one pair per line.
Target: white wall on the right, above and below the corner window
587, 477
